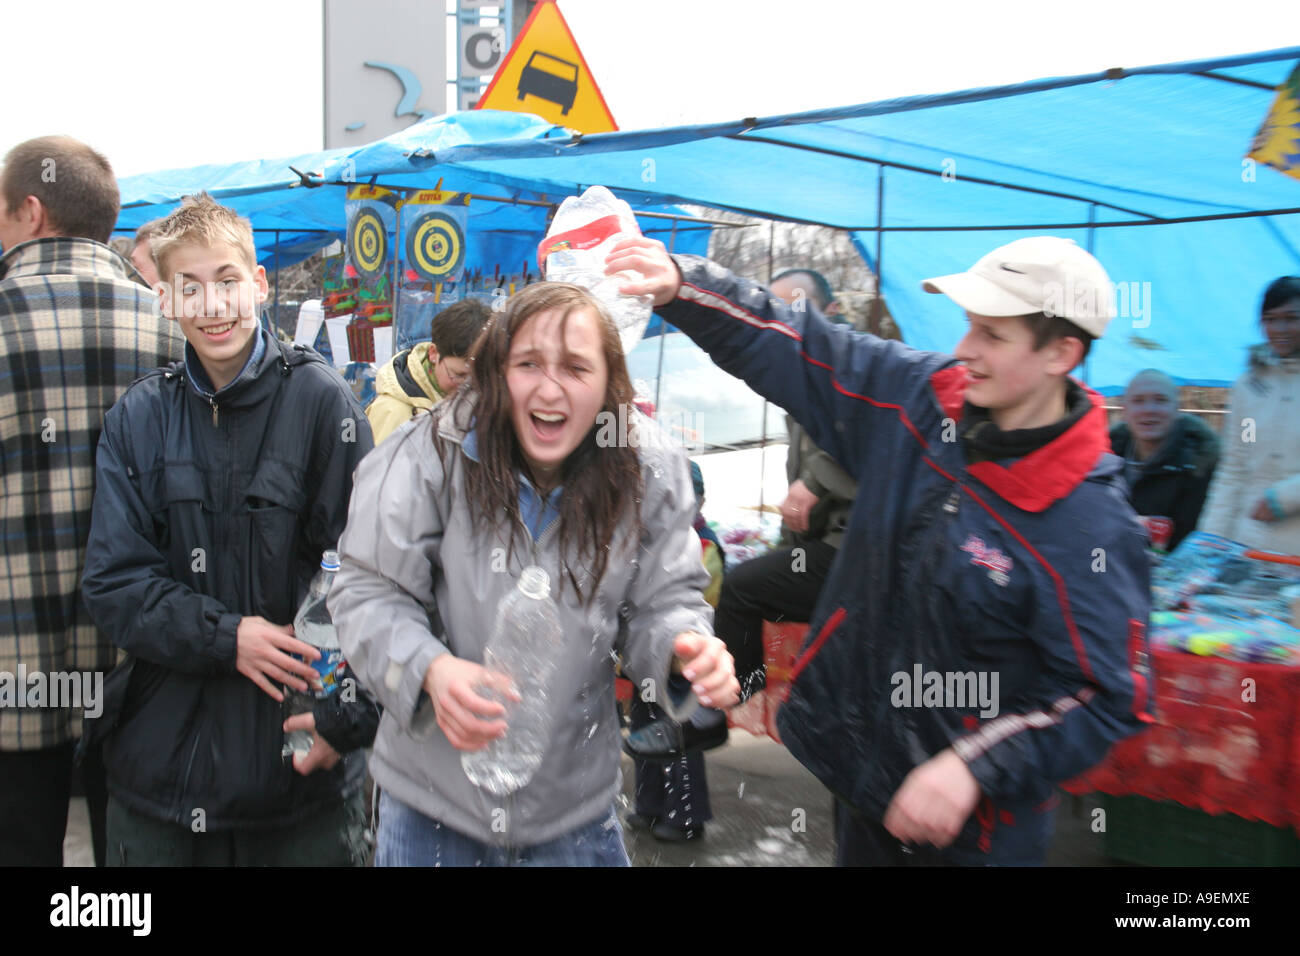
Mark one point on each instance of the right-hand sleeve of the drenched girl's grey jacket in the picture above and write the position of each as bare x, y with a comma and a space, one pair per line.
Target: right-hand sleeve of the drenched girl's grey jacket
668, 592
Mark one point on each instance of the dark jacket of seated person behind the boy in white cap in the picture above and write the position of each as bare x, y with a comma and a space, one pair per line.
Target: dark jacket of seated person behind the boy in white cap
1172, 485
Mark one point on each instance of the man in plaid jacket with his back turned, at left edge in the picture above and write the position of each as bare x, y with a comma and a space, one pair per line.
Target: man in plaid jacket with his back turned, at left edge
77, 331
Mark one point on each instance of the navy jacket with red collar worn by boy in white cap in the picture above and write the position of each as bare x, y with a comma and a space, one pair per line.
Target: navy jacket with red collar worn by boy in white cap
1033, 570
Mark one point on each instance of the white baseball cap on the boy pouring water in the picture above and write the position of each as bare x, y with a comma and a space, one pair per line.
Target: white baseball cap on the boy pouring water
1042, 274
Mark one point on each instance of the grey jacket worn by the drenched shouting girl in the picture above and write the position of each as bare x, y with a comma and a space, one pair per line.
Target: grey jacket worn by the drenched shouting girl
418, 581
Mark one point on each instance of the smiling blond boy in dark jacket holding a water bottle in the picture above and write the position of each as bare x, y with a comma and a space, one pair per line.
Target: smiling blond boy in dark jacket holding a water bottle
220, 481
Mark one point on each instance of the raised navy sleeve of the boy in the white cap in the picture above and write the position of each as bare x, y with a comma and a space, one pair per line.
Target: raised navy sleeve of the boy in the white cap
824, 374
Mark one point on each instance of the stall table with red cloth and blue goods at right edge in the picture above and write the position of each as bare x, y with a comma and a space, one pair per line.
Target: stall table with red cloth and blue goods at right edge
1225, 682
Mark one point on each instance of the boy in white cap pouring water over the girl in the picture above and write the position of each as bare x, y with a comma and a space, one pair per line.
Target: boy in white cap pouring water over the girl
982, 634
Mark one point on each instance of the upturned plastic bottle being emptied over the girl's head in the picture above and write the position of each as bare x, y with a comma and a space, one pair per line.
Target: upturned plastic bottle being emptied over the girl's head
584, 231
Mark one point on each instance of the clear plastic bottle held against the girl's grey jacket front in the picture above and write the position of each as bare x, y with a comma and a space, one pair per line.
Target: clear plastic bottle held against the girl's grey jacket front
525, 646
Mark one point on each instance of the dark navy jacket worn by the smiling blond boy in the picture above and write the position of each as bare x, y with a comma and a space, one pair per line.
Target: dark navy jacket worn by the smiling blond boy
211, 508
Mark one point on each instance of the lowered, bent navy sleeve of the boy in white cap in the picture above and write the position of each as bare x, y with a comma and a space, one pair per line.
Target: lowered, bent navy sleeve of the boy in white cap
1095, 681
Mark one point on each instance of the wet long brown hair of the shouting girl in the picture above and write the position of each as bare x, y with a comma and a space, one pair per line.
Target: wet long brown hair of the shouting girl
601, 485
